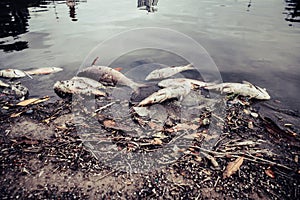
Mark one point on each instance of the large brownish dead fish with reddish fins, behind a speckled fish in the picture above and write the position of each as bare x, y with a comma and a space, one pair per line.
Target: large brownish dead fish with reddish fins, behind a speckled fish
109, 76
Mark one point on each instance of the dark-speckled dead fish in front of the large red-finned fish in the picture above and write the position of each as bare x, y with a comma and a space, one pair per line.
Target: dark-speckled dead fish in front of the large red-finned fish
76, 87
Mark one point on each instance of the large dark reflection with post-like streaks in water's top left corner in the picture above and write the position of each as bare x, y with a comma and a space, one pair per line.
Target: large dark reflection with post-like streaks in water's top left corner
14, 16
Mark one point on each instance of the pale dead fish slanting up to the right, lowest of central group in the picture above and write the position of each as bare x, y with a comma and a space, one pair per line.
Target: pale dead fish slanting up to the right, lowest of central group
166, 93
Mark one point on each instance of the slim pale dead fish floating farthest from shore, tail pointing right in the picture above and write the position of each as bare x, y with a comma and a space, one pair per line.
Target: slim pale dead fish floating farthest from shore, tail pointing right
168, 72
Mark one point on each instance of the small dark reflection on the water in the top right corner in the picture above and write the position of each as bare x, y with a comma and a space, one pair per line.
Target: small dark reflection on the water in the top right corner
292, 10
